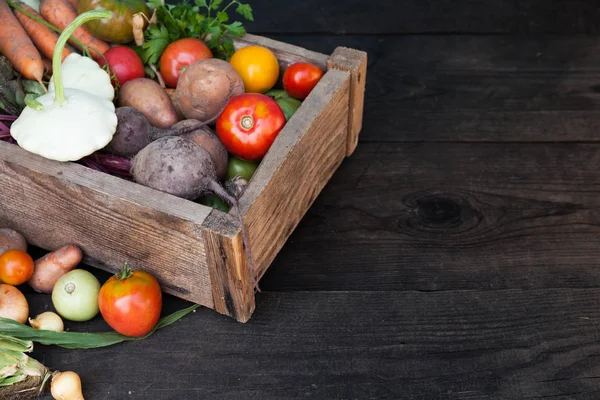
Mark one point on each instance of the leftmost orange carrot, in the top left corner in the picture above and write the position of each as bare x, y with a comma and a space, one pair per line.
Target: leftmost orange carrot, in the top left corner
17, 47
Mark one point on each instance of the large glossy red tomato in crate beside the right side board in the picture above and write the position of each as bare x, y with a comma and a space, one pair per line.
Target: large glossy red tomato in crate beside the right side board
249, 124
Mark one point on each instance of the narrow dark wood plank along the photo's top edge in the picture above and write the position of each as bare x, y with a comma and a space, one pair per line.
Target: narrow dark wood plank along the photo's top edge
417, 16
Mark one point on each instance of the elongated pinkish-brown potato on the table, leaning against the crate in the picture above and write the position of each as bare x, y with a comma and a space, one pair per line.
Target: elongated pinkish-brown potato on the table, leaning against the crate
52, 266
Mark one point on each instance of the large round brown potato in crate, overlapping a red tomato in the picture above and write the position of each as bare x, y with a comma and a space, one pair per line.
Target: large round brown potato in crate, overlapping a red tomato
203, 87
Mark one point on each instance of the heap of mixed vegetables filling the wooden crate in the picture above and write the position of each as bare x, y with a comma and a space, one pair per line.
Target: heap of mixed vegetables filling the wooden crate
154, 93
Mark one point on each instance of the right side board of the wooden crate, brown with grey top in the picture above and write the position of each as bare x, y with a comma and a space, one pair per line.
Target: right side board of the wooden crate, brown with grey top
301, 160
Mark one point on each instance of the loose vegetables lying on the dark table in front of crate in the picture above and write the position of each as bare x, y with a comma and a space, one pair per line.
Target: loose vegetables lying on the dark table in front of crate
130, 302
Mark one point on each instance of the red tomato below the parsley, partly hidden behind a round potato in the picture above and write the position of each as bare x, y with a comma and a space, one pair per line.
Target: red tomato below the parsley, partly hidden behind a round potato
178, 55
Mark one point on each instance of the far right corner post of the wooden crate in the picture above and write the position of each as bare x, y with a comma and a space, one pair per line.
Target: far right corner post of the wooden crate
355, 62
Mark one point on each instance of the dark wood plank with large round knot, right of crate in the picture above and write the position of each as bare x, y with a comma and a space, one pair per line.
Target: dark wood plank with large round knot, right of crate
450, 216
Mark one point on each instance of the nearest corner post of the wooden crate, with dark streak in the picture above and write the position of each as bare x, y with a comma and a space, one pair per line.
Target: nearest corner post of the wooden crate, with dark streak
230, 275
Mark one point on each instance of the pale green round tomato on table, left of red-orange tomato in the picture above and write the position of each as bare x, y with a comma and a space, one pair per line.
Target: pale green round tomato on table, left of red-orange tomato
75, 295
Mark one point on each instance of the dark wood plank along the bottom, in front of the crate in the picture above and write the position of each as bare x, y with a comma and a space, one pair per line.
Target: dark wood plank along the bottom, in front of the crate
457, 345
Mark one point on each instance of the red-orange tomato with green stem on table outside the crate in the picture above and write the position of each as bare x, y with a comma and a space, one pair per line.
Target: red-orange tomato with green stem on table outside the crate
131, 302
